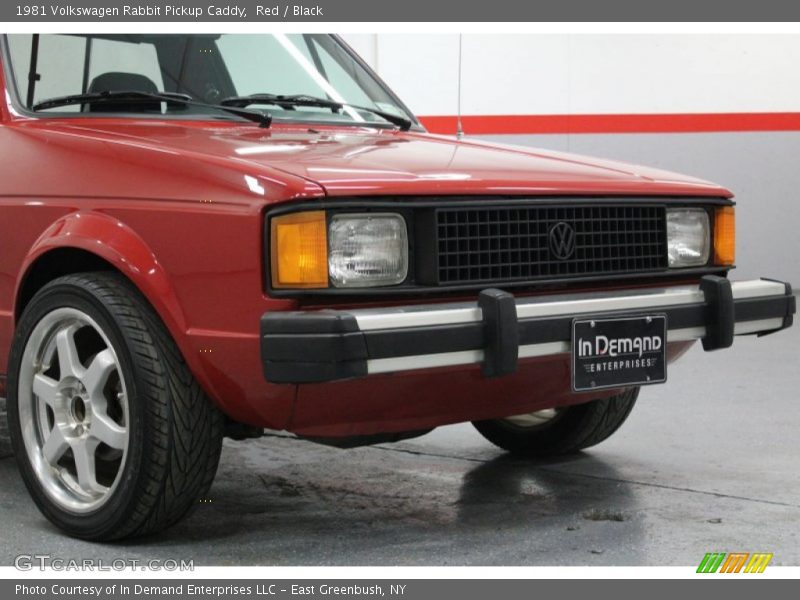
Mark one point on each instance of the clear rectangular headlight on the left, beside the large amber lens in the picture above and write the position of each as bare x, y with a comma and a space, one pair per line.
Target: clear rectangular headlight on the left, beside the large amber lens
367, 250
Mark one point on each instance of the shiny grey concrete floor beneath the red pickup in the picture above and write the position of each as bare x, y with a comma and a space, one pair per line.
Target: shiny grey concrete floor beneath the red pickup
708, 461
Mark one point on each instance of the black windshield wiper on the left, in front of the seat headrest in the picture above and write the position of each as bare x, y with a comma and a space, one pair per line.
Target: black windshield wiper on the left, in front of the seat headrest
136, 97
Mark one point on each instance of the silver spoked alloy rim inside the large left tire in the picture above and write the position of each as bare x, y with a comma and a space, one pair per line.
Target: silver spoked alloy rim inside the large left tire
73, 399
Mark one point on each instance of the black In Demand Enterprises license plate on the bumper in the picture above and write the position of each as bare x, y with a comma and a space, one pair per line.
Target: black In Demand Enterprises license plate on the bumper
609, 353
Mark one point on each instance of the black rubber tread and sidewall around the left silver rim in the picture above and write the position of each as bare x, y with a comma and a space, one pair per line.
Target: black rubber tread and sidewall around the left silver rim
174, 431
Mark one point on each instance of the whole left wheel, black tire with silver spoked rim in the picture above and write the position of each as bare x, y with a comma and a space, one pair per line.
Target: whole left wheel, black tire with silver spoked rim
112, 434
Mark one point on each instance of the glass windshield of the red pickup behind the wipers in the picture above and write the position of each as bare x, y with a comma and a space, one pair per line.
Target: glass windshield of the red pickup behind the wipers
207, 68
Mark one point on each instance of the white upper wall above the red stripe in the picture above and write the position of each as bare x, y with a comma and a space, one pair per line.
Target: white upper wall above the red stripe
588, 74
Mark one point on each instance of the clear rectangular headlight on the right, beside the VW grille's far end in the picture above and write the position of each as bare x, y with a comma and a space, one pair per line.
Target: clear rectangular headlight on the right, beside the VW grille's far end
688, 237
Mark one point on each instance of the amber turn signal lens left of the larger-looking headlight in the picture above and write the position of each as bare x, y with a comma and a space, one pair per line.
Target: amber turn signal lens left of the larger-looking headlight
299, 250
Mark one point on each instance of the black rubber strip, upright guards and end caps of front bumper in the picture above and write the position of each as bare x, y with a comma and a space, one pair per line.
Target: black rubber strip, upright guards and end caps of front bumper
327, 345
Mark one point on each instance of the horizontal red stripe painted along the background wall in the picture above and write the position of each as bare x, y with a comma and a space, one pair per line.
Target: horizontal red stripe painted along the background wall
632, 123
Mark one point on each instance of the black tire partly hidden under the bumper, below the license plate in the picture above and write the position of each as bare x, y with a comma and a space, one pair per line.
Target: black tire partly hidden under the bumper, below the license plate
572, 429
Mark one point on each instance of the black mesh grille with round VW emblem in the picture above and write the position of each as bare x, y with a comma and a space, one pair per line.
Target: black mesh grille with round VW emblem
481, 244
